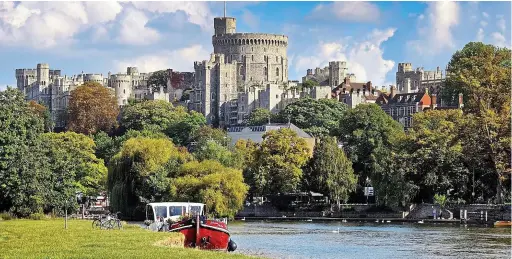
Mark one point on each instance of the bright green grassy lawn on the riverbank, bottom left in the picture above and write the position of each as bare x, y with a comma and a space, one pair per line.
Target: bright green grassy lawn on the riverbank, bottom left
49, 239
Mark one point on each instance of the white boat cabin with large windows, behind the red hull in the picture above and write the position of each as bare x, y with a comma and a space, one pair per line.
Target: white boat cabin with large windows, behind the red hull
163, 211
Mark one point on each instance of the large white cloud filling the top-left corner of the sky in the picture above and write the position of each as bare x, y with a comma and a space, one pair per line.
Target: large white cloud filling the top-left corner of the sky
47, 24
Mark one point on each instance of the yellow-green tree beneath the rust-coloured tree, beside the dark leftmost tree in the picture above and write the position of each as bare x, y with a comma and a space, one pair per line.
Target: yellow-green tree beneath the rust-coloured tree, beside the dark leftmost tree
74, 167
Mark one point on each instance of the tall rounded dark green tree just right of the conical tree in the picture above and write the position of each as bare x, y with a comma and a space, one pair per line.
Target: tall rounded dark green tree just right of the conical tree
369, 135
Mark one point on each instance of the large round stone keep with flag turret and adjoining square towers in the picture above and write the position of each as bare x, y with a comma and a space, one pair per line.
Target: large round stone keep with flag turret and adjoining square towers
244, 72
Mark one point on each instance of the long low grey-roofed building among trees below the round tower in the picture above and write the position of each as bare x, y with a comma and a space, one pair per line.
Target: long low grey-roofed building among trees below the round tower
255, 133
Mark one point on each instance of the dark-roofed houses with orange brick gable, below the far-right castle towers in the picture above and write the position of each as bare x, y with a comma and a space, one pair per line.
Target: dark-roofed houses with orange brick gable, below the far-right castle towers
402, 107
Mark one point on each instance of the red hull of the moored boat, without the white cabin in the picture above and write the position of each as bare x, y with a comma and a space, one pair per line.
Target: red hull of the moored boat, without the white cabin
203, 234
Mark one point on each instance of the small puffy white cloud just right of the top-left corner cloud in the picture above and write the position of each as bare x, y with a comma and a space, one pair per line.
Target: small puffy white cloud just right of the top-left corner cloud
134, 30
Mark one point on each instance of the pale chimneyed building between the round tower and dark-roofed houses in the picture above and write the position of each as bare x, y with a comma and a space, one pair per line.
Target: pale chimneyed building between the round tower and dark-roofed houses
353, 94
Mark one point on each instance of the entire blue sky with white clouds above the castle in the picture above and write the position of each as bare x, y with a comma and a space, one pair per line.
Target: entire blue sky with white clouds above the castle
373, 37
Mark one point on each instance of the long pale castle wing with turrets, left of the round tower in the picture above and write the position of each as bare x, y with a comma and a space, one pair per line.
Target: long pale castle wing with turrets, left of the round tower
50, 88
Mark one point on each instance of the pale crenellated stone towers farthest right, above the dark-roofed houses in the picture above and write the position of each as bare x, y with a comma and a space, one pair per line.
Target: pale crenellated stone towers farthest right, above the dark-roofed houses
409, 80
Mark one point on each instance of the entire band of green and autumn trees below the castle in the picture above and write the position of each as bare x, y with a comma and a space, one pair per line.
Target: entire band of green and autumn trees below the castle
152, 151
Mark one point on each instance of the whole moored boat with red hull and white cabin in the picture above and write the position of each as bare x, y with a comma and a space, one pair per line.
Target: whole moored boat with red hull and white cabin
199, 231
